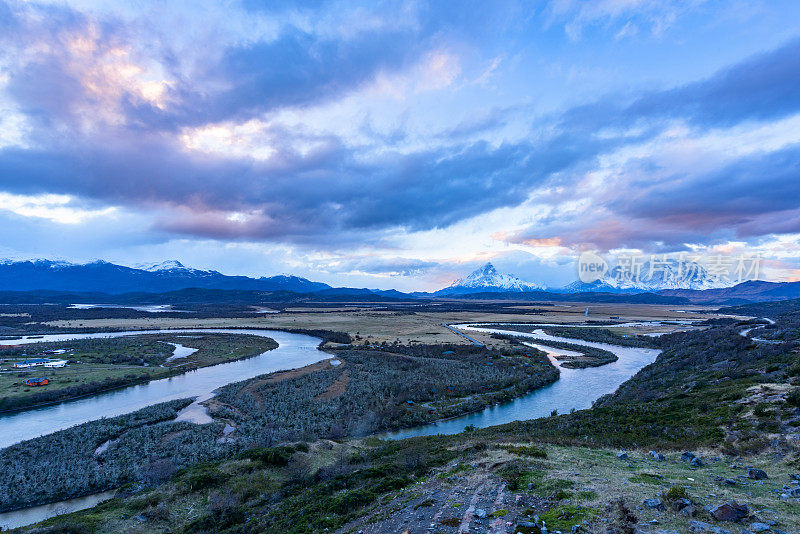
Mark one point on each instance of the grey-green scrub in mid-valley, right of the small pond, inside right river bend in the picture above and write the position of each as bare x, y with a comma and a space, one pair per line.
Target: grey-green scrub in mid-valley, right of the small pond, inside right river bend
383, 391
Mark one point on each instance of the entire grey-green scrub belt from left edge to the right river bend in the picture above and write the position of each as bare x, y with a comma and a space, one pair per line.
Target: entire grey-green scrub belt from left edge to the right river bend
149, 447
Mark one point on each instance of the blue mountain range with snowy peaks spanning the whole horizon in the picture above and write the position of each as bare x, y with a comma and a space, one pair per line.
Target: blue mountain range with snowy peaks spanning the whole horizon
485, 282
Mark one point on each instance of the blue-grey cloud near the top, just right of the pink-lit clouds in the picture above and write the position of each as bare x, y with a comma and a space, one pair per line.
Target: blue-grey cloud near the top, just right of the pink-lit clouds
296, 69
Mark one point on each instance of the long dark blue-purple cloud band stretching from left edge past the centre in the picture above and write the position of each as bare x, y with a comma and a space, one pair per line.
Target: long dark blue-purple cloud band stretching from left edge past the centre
316, 194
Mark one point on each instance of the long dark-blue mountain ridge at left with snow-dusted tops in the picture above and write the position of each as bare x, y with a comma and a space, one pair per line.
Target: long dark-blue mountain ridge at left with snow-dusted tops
105, 277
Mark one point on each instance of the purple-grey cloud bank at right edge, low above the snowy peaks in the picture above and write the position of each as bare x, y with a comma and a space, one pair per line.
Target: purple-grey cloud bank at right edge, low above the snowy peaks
755, 196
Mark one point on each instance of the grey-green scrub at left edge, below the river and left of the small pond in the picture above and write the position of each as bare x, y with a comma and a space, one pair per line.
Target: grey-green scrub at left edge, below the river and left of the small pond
149, 449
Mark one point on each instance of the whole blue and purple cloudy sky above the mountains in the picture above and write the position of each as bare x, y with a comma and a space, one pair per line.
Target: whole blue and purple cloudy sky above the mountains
399, 144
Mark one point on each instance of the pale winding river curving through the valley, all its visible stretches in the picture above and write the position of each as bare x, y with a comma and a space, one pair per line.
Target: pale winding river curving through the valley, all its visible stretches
576, 388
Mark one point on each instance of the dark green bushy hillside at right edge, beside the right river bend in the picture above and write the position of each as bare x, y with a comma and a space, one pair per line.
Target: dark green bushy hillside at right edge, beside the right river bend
686, 398
